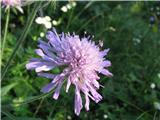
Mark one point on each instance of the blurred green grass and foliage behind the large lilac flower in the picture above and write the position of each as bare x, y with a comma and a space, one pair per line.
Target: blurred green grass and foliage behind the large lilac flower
132, 32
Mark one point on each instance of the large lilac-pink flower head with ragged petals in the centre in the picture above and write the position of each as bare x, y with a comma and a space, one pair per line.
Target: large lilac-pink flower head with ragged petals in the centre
83, 60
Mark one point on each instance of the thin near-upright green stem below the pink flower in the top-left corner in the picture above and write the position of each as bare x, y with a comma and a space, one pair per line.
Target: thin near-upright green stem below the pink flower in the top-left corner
5, 31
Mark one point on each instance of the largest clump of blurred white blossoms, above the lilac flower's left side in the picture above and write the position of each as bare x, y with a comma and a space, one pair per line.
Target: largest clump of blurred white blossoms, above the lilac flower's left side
46, 21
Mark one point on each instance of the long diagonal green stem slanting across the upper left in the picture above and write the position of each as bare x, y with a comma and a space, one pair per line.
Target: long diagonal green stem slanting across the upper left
22, 37
